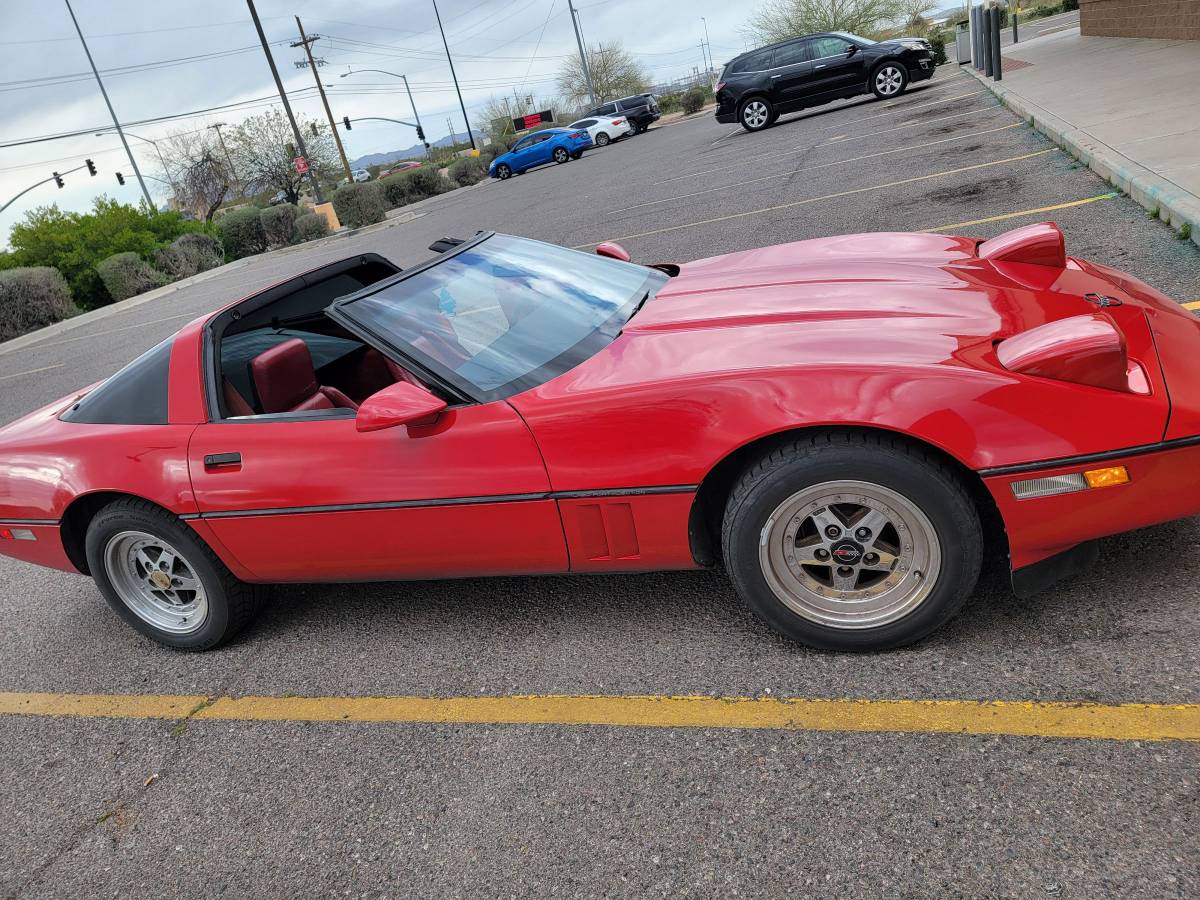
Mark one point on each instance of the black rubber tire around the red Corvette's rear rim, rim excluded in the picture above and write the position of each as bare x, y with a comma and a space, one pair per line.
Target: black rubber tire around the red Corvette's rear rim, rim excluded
232, 604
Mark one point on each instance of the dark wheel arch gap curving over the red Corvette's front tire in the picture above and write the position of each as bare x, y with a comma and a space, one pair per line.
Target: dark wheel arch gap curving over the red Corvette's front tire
709, 507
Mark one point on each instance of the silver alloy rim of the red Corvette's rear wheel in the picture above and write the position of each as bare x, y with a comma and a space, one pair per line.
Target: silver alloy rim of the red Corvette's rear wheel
157, 583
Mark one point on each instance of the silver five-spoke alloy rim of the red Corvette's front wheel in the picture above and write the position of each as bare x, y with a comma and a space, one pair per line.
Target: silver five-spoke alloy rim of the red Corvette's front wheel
850, 555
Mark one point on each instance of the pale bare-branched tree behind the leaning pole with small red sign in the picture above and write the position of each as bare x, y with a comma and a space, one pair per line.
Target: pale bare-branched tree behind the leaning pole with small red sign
263, 149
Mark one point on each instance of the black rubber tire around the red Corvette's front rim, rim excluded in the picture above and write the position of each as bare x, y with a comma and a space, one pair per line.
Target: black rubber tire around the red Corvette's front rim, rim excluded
919, 478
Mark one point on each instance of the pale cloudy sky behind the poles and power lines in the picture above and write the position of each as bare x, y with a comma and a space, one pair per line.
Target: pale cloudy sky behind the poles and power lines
176, 58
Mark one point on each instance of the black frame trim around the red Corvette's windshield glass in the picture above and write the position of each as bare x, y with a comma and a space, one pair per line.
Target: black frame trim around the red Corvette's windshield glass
410, 357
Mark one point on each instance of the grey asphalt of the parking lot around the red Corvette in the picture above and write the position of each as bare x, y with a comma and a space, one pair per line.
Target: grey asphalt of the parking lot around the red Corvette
189, 806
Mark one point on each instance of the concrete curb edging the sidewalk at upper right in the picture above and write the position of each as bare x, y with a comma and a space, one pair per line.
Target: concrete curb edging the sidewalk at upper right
1175, 206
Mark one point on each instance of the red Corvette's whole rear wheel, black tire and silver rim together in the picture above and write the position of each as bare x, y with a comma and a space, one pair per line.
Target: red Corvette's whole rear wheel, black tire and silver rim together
161, 579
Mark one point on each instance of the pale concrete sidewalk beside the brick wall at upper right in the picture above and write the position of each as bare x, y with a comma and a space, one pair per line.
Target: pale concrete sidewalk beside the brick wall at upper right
1125, 106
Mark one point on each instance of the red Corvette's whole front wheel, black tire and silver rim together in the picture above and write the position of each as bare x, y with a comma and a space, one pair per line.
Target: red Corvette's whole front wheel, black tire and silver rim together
853, 543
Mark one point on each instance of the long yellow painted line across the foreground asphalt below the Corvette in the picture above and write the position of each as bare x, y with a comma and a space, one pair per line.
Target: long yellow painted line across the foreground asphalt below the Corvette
1125, 722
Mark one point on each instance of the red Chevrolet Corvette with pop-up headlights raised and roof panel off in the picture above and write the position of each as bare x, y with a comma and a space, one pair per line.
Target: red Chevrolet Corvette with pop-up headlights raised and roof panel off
849, 424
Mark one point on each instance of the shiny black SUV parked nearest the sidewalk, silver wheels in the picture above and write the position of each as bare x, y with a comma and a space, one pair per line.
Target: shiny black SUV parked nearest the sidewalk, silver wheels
758, 87
